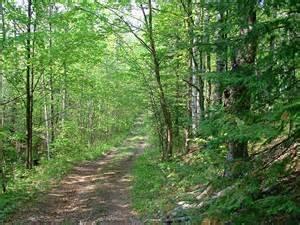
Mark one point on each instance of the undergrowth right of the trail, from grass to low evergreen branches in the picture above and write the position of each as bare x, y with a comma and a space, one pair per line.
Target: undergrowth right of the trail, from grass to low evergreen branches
166, 188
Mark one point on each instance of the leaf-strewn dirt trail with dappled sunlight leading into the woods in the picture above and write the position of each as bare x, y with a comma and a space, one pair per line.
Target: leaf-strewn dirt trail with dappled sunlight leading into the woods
93, 193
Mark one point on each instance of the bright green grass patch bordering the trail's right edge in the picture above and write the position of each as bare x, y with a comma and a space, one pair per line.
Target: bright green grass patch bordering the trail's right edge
158, 186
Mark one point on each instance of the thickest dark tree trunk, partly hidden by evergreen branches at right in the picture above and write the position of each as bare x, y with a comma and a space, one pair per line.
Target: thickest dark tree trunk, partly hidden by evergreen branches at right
237, 98
